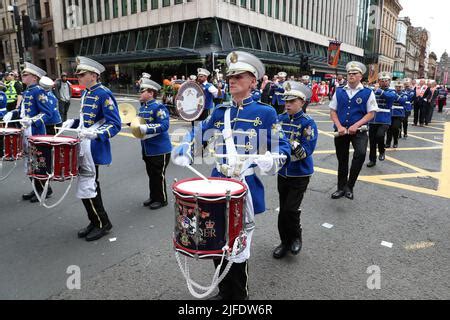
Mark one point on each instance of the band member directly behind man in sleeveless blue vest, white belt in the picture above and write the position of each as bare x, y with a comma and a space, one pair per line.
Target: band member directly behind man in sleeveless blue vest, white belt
379, 125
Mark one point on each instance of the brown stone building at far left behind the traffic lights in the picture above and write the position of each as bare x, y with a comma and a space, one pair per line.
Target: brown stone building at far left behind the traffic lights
43, 54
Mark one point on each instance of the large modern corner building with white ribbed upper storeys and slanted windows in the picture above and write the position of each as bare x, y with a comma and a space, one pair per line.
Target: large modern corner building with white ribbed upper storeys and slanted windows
176, 36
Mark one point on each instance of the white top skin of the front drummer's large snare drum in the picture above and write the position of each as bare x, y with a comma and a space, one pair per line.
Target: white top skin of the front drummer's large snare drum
214, 187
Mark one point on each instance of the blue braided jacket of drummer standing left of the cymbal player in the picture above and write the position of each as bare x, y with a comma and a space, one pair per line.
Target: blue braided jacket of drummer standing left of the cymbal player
100, 104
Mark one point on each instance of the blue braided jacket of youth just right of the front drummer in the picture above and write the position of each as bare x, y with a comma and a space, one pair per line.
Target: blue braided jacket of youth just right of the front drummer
302, 129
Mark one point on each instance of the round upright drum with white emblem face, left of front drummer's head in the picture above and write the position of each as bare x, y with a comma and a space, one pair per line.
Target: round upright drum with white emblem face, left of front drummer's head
190, 101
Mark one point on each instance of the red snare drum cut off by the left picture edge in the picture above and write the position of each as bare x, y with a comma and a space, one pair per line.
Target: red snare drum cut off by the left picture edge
11, 145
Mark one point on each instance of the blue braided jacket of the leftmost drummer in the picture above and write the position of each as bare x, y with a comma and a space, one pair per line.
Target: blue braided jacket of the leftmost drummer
35, 104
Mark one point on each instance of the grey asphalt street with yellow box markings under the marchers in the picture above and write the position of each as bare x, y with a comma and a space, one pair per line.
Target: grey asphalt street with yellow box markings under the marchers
398, 224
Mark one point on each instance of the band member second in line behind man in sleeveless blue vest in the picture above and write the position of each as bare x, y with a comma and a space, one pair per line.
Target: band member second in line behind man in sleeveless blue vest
398, 113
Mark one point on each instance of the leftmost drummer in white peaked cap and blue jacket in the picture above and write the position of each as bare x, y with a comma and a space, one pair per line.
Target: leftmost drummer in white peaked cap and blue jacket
34, 113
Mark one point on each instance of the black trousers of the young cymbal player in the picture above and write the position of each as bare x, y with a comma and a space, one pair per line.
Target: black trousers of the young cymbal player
156, 170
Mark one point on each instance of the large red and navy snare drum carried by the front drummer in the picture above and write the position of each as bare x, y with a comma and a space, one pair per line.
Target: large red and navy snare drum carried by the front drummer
208, 215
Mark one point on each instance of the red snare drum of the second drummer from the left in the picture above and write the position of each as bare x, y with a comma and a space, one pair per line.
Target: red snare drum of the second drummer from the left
54, 158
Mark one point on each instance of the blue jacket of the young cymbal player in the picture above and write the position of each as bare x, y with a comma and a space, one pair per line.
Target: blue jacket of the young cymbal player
157, 119
